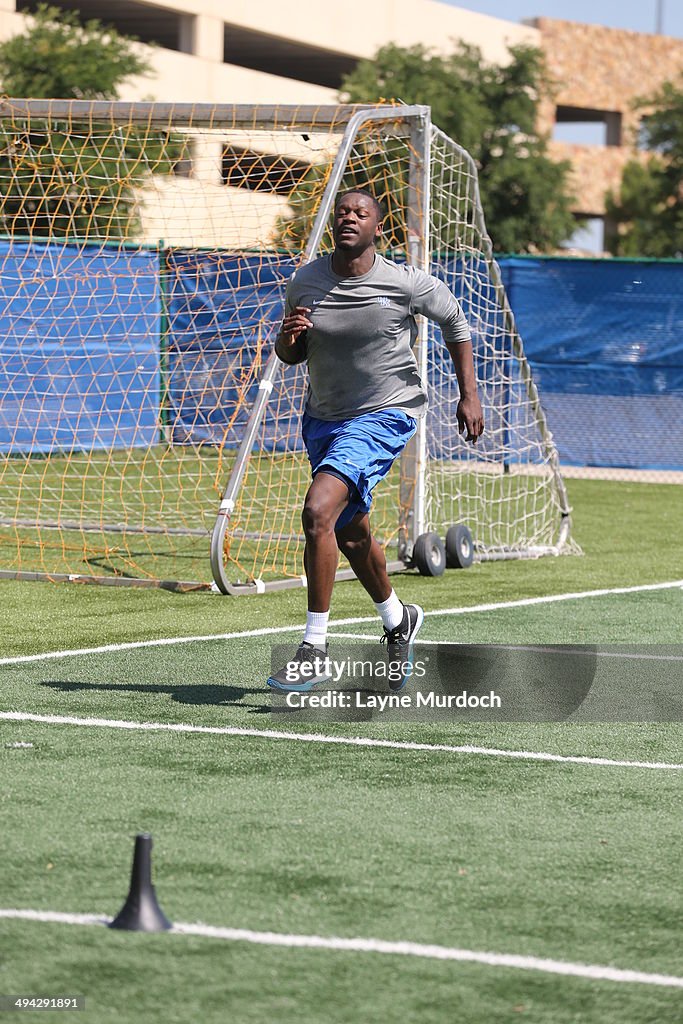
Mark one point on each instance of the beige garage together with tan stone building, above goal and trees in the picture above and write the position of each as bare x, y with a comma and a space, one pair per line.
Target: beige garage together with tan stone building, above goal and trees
297, 52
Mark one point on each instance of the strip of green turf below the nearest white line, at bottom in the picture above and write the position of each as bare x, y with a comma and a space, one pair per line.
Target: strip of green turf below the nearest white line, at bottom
134, 978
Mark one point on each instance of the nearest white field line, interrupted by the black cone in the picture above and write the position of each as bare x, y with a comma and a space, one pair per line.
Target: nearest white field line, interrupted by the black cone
593, 972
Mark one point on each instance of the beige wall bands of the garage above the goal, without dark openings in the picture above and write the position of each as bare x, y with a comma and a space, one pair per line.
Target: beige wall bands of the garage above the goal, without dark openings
357, 28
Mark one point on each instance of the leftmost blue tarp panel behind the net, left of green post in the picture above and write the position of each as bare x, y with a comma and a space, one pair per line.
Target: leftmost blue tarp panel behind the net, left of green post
79, 349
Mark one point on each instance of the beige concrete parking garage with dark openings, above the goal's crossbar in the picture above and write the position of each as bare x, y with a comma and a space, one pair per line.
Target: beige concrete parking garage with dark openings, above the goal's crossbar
265, 52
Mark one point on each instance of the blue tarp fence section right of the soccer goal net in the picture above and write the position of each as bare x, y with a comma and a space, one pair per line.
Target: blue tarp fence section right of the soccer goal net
606, 343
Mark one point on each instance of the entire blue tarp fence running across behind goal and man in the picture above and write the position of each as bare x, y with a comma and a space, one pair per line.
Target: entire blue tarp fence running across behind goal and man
100, 349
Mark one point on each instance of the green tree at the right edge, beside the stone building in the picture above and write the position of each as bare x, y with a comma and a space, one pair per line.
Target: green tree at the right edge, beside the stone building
649, 212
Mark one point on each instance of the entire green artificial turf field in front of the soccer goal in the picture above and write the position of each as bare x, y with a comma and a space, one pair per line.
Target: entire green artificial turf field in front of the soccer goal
574, 863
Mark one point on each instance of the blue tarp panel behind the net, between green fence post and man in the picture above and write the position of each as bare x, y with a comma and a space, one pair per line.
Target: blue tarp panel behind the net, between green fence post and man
224, 314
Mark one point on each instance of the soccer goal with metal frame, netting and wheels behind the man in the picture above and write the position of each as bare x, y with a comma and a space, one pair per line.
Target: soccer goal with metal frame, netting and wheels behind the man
148, 433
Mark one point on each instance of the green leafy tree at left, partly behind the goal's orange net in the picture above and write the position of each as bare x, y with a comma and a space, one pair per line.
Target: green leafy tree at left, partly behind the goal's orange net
73, 181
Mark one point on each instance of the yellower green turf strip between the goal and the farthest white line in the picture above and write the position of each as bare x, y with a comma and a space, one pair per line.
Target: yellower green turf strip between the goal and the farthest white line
630, 534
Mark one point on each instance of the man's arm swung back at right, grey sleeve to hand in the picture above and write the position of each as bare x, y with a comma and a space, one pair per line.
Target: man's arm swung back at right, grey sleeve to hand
433, 300
